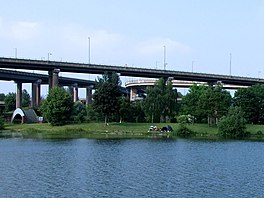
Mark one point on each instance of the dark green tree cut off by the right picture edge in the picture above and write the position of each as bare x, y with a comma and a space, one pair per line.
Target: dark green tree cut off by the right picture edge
251, 100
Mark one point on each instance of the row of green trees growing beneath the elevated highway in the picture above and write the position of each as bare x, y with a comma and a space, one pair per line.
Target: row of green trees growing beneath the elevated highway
162, 103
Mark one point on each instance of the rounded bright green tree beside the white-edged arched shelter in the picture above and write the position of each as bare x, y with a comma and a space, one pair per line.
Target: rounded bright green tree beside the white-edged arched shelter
57, 108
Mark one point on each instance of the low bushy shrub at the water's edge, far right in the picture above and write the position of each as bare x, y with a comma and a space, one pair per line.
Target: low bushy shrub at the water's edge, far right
234, 124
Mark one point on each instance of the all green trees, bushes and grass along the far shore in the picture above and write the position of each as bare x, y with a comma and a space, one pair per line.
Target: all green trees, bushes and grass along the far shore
206, 111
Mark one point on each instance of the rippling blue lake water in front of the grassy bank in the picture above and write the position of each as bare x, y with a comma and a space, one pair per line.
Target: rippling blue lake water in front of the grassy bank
130, 168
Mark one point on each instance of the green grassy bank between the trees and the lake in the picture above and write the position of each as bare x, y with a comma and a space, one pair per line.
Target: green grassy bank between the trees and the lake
116, 130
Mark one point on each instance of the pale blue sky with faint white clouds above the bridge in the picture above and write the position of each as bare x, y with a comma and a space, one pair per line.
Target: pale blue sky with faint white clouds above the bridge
198, 35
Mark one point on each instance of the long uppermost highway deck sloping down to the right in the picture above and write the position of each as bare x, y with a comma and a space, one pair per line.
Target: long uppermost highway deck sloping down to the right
124, 71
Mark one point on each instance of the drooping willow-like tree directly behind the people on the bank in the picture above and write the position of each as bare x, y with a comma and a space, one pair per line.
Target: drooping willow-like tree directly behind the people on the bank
161, 101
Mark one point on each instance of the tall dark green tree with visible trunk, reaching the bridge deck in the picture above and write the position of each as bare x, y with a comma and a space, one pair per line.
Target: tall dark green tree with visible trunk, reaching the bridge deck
106, 95
